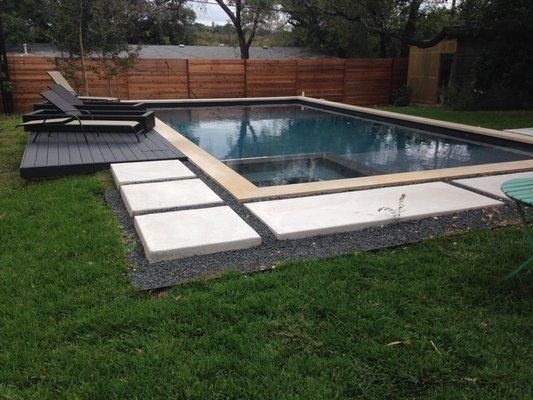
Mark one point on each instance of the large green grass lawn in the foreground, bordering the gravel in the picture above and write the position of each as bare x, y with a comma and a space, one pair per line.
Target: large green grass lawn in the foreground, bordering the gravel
433, 320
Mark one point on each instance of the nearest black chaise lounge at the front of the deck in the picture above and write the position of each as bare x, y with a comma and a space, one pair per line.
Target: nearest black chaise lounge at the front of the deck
71, 121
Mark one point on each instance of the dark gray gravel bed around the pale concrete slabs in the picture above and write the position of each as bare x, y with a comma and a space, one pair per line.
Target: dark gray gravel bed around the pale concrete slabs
272, 251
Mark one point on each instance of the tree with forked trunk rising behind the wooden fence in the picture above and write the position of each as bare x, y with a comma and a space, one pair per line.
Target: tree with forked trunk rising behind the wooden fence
246, 17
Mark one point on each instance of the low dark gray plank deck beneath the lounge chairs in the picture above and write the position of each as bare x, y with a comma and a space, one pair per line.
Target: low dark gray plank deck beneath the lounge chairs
68, 153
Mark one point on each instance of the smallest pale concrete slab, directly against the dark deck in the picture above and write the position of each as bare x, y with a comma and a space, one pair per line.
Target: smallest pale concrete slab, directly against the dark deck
150, 171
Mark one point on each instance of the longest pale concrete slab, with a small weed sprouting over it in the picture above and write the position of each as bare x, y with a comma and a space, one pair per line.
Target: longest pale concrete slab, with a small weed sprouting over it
350, 211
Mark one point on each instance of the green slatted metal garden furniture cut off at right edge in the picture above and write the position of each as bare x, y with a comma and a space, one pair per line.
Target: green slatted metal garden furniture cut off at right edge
521, 192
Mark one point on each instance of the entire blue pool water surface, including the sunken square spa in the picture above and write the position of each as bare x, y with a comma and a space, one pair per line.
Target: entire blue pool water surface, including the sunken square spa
280, 144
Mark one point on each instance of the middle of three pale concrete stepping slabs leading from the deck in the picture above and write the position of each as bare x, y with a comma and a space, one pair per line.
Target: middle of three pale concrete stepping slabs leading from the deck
145, 198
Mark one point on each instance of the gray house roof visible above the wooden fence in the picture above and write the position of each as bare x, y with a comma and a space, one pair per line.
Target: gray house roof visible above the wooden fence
191, 52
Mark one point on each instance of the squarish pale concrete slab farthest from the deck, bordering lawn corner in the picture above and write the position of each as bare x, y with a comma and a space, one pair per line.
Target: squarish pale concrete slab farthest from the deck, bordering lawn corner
178, 234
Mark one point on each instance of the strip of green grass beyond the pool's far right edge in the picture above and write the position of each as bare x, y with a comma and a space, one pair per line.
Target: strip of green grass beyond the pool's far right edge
486, 119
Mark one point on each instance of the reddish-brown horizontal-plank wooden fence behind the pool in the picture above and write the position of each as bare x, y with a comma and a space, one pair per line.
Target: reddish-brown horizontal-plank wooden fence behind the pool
354, 81
